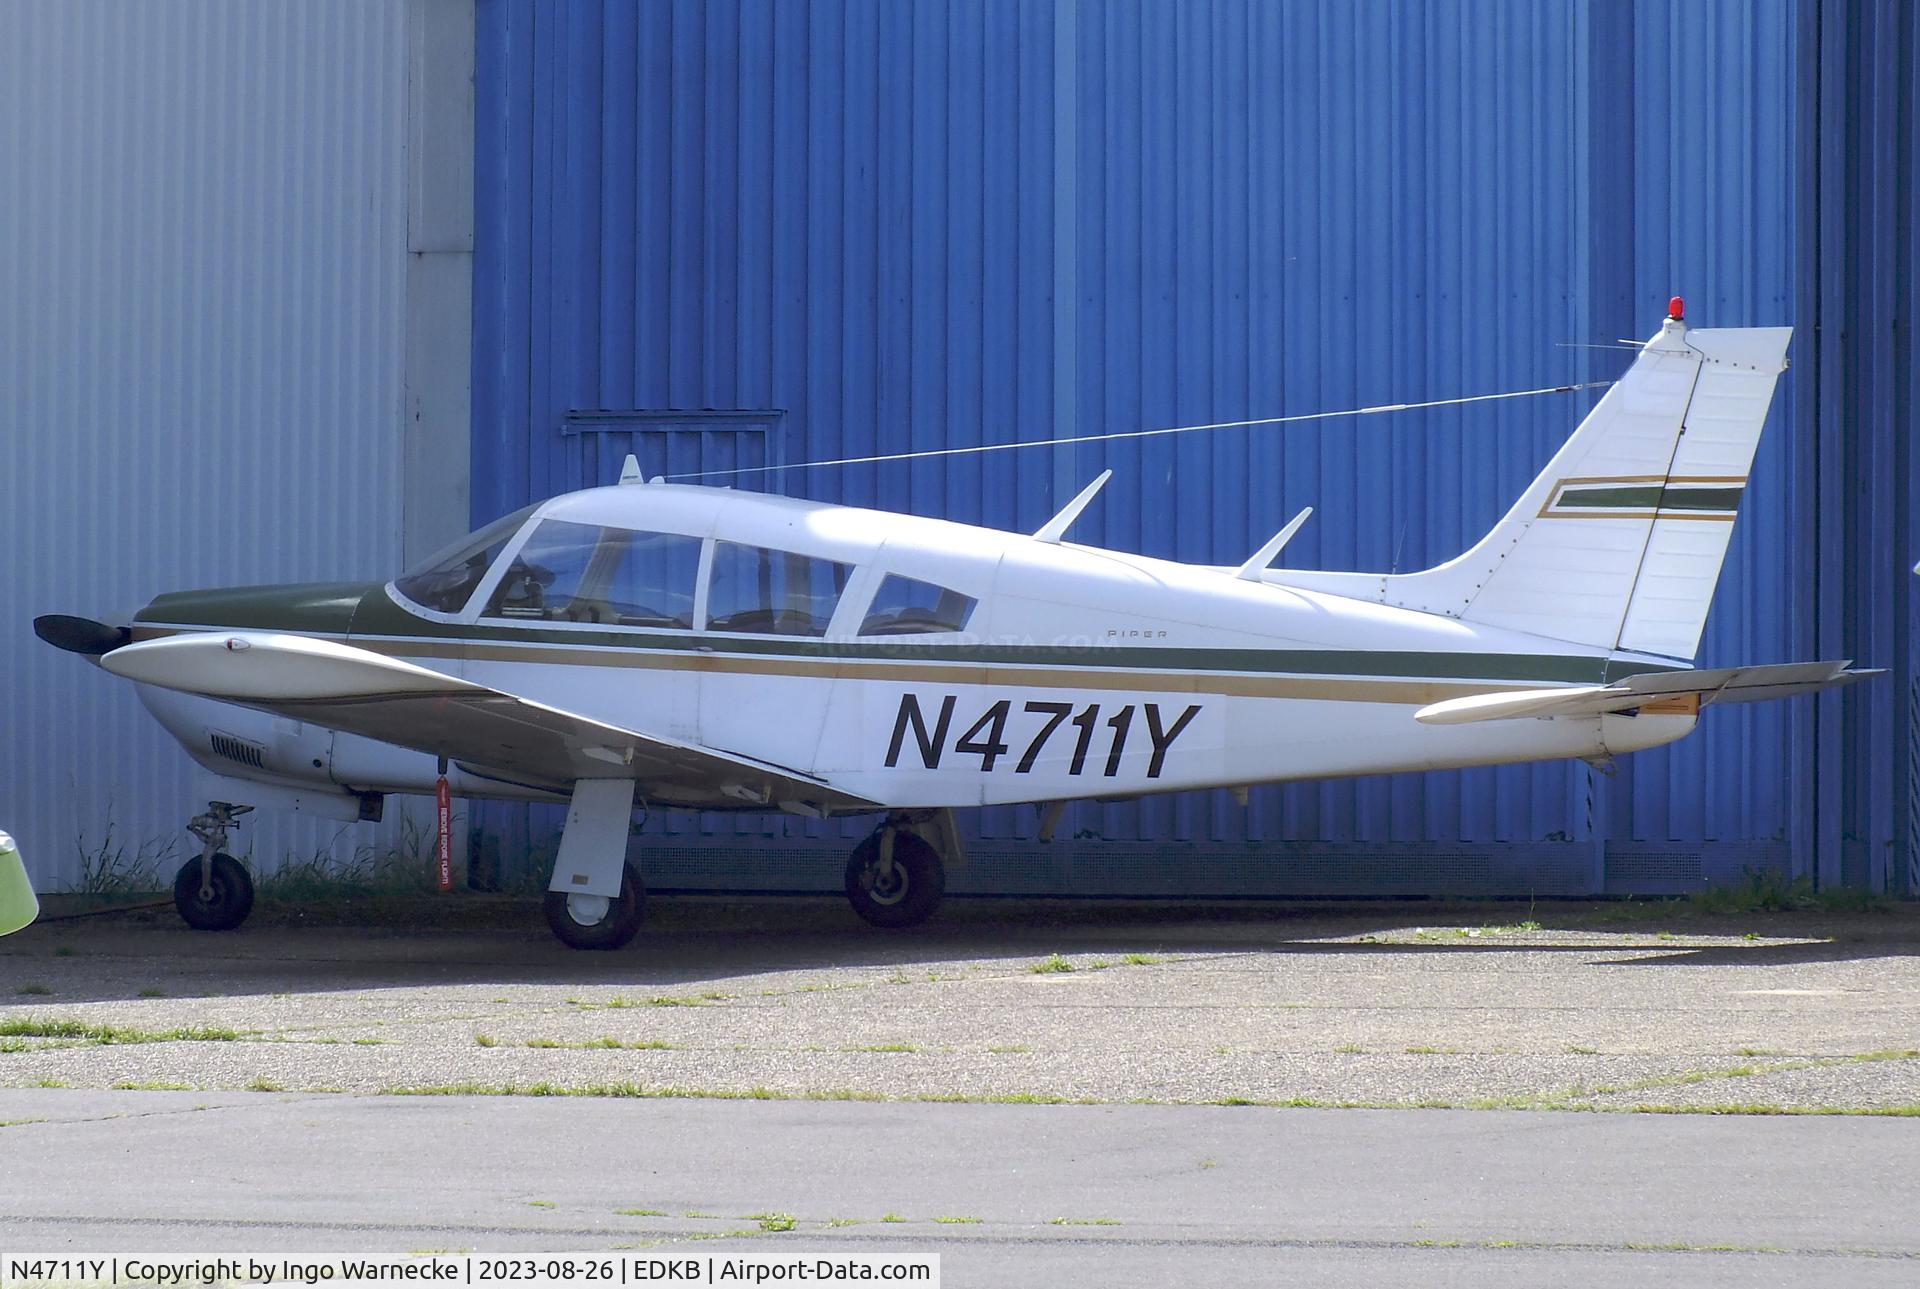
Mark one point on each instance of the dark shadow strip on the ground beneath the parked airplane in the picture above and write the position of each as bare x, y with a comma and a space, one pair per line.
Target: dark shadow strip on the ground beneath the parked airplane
698, 944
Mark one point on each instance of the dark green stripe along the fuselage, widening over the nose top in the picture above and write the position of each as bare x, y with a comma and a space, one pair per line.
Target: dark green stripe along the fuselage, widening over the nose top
368, 612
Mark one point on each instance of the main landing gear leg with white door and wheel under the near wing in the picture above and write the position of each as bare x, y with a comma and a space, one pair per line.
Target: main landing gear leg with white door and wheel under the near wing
596, 898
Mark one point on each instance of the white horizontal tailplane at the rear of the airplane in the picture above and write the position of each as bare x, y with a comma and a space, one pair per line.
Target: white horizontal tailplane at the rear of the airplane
1673, 691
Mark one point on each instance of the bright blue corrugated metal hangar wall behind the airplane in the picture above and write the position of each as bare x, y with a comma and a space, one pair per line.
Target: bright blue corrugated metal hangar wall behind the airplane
727, 233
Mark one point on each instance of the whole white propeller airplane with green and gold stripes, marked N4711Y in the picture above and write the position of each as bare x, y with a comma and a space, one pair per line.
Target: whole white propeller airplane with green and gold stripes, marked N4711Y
709, 650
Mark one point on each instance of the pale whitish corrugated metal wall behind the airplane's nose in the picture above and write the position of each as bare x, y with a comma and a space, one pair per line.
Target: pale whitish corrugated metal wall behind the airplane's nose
203, 281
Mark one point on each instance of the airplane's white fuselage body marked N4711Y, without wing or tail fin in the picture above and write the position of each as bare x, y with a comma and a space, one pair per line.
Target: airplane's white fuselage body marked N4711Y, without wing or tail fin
909, 662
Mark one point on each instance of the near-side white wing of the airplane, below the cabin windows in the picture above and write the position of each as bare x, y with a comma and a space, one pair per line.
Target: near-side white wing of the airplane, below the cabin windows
362, 693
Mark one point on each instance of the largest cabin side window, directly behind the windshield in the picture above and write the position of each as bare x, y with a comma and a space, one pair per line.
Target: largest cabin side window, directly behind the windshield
612, 577
